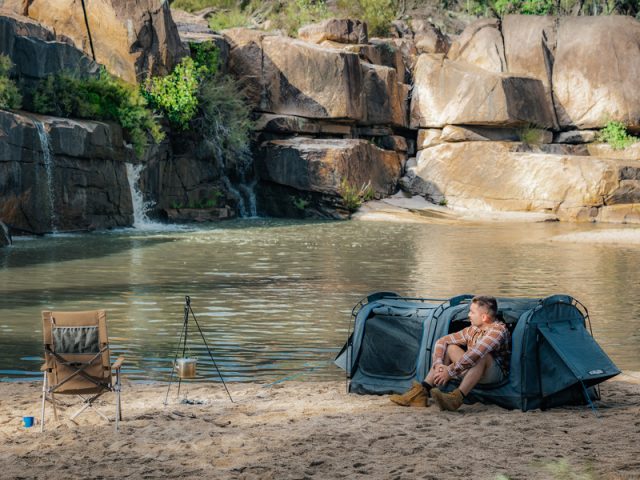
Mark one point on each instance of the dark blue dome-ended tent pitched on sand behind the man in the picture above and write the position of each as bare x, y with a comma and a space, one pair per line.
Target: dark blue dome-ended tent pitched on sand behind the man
555, 360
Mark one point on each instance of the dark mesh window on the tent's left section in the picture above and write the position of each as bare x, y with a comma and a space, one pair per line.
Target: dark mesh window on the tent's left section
391, 345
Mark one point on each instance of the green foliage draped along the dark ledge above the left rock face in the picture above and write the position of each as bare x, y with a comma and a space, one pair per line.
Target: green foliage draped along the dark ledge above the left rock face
104, 97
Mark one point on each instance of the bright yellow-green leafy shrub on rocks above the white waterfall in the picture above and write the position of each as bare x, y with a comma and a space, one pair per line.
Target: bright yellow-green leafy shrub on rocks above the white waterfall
175, 95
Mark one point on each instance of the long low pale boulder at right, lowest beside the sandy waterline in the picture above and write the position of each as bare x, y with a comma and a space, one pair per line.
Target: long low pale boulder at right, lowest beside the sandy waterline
495, 176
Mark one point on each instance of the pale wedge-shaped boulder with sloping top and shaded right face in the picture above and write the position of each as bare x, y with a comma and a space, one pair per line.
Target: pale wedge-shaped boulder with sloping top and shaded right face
448, 93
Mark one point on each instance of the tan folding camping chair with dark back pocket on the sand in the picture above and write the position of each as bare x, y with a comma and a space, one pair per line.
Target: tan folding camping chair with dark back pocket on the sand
76, 355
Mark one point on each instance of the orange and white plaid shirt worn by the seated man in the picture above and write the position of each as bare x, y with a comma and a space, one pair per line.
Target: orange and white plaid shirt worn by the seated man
495, 340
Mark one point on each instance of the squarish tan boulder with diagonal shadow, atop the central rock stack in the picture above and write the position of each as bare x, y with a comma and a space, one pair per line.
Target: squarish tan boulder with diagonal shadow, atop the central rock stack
310, 81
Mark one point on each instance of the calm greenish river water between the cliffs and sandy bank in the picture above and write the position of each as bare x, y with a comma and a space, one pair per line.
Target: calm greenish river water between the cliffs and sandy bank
273, 298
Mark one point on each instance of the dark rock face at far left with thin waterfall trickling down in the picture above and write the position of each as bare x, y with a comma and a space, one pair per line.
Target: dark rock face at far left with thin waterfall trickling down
58, 174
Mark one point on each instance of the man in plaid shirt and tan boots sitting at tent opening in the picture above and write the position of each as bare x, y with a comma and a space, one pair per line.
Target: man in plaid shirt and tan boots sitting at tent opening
477, 354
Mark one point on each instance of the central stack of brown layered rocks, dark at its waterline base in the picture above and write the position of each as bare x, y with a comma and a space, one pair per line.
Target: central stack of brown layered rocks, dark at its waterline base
316, 99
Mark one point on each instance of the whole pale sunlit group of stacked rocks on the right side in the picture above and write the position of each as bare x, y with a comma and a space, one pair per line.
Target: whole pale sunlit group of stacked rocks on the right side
530, 81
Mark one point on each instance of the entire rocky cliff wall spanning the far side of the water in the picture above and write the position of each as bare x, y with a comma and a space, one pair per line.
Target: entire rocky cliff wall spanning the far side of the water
502, 116
